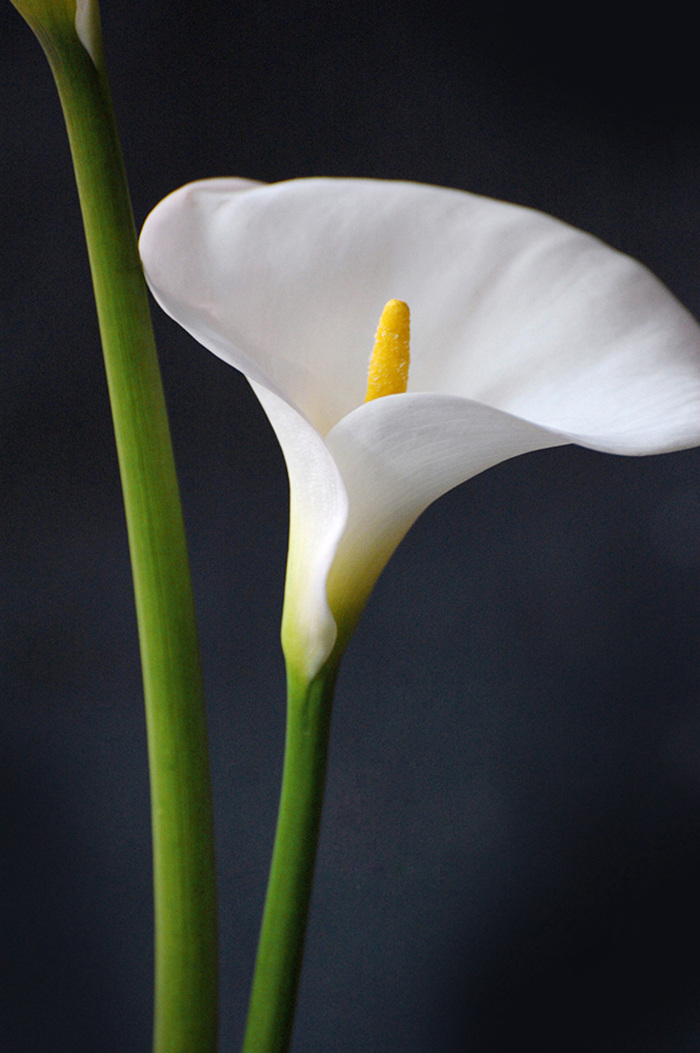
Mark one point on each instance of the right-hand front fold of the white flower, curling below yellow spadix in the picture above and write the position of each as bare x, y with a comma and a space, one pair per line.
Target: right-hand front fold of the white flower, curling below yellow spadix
397, 456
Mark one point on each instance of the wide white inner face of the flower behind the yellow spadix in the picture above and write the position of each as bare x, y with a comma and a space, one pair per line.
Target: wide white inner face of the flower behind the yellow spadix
509, 307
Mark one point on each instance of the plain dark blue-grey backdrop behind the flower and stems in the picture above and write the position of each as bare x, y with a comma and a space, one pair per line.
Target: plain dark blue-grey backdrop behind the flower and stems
510, 855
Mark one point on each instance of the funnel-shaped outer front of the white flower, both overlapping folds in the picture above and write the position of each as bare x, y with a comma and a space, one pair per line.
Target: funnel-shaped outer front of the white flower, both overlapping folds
354, 496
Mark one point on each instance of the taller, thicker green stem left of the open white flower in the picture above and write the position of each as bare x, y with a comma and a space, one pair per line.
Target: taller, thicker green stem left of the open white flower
186, 997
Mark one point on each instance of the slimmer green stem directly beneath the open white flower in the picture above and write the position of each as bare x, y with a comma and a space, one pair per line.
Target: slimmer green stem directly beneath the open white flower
281, 951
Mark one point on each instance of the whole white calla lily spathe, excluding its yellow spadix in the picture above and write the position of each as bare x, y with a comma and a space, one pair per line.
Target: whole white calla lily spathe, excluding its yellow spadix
526, 334
